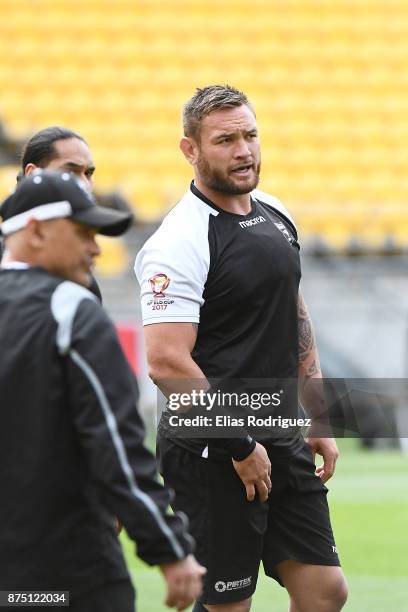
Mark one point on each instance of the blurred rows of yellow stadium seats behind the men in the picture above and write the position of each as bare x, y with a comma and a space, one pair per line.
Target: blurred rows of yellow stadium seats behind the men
328, 80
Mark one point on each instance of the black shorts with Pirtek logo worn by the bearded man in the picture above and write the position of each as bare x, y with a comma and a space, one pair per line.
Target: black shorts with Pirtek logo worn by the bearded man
233, 535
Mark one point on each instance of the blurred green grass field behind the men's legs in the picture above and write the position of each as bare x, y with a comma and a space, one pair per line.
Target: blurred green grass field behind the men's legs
369, 507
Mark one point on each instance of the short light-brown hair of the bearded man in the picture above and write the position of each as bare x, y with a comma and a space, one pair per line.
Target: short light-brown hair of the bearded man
208, 99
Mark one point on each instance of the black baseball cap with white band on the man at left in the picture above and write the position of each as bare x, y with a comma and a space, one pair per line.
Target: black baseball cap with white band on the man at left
48, 194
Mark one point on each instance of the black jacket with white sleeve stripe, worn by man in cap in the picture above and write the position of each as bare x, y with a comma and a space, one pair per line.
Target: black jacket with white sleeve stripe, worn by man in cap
71, 444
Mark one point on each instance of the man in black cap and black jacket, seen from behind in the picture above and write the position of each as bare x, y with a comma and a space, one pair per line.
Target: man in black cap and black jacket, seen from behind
71, 438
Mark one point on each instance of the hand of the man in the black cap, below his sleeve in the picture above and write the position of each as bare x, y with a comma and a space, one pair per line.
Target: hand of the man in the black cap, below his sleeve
184, 582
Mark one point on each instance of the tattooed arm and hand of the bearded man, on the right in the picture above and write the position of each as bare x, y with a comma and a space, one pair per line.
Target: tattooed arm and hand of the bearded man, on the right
311, 395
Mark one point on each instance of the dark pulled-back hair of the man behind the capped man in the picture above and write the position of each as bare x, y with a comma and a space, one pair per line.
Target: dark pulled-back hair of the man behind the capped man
40, 150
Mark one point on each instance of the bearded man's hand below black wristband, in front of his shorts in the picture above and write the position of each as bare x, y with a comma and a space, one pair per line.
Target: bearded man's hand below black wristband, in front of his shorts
255, 473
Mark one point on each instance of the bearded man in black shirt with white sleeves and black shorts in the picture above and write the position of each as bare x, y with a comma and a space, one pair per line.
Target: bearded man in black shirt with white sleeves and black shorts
220, 299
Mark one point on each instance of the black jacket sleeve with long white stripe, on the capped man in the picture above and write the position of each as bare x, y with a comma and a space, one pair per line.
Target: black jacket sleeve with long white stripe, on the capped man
103, 400
